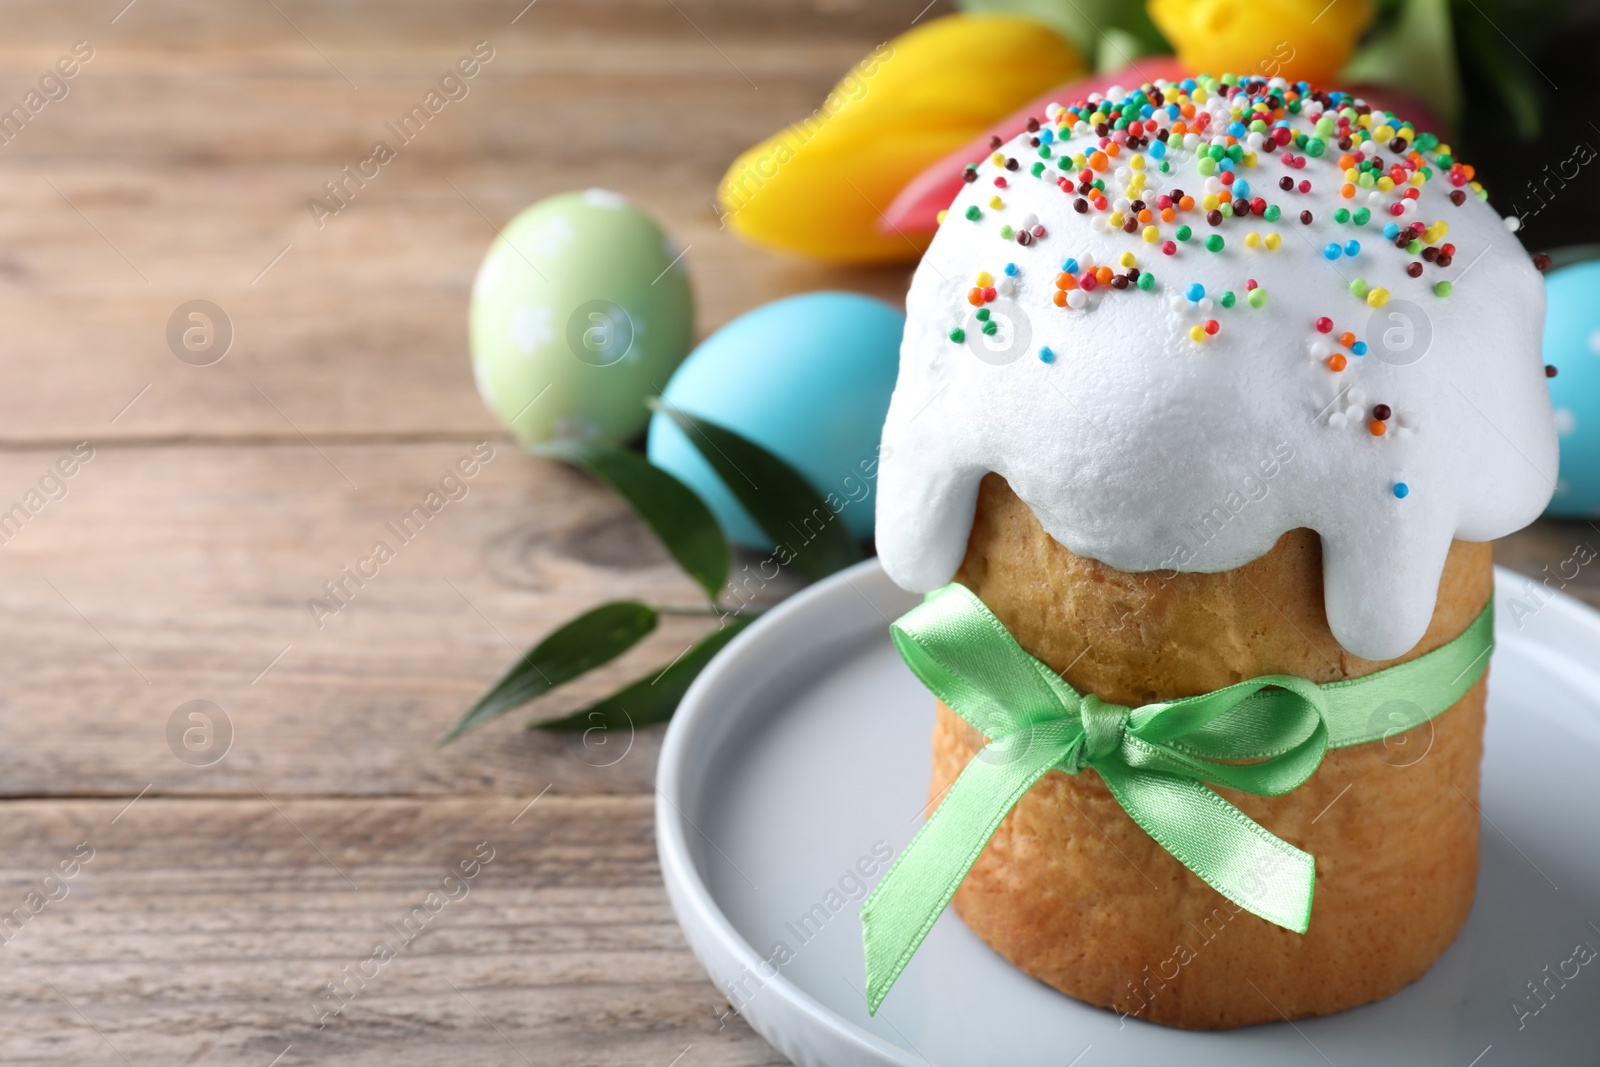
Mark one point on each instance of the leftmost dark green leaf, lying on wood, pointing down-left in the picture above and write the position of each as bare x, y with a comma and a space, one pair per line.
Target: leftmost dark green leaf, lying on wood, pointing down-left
582, 645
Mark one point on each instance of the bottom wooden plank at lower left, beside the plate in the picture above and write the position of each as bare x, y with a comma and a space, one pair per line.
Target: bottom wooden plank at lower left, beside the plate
207, 932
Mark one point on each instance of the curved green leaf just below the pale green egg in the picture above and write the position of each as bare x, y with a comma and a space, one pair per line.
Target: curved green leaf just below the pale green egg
674, 514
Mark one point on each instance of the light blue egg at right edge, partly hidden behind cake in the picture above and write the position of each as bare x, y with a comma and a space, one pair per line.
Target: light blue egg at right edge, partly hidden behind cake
1572, 345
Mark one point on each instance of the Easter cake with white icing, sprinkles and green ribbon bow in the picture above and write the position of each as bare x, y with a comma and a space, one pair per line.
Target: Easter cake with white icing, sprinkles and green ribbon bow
1207, 383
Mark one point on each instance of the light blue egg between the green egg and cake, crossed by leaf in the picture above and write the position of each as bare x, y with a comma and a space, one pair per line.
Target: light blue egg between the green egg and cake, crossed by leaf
809, 378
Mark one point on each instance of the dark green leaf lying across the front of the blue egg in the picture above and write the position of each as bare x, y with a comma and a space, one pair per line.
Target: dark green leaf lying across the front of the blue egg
780, 500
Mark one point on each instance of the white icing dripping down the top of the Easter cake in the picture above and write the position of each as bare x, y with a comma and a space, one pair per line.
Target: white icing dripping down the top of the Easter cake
1153, 452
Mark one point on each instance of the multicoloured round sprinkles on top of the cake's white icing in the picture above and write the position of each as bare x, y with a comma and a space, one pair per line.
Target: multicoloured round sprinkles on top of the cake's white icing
1225, 167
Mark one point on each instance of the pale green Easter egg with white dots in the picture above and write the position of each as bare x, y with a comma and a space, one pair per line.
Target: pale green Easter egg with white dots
580, 313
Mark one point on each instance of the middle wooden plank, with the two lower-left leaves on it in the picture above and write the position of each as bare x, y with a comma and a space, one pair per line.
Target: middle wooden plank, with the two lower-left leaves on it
185, 573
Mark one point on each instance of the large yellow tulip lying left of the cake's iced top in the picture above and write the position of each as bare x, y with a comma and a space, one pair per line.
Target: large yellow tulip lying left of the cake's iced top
820, 186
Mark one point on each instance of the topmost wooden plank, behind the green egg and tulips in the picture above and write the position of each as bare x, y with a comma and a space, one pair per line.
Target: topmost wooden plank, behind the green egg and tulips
182, 166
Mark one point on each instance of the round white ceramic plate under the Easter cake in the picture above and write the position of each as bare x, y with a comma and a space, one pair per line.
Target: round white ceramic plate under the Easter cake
804, 749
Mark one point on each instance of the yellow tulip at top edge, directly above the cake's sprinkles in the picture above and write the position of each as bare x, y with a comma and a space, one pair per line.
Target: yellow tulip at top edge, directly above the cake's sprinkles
1295, 39
